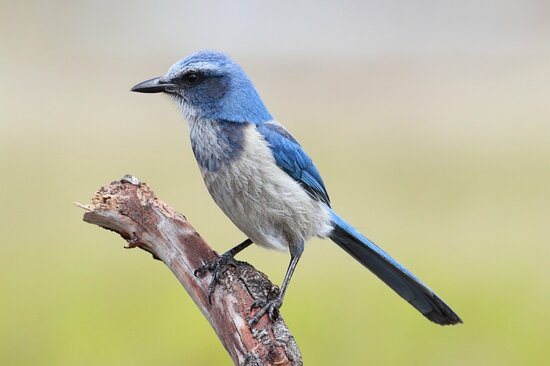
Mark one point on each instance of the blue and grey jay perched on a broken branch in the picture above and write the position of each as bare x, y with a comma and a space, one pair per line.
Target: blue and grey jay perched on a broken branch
265, 182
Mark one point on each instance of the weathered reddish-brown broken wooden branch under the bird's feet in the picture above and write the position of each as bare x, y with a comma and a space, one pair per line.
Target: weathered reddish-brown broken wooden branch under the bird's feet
131, 209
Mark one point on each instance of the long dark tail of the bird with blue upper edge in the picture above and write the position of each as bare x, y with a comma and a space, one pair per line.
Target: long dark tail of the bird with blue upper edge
400, 279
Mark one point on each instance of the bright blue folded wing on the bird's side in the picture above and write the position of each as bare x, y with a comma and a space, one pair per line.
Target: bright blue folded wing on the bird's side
292, 159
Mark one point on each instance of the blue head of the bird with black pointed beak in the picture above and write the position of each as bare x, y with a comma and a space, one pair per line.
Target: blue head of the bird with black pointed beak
208, 85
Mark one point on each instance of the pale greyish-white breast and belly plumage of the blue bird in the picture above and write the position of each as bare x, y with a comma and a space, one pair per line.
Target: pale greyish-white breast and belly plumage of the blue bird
264, 202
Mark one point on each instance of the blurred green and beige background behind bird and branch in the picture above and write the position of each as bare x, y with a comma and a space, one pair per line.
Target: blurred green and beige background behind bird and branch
429, 121
